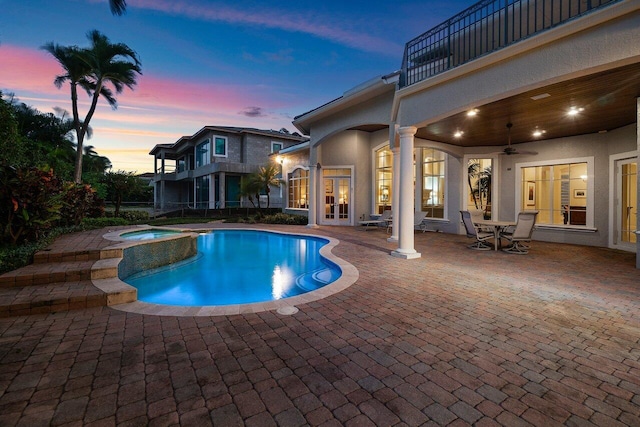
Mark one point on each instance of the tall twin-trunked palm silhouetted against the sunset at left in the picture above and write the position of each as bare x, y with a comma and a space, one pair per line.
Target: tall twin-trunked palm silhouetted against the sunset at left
99, 70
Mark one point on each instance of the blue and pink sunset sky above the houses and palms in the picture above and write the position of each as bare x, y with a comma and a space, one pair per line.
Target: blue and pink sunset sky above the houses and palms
243, 63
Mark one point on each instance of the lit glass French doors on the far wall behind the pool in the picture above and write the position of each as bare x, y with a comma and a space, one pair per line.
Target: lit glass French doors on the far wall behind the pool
337, 197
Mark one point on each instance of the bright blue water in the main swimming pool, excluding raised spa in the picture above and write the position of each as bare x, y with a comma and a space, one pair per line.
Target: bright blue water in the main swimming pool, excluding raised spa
239, 267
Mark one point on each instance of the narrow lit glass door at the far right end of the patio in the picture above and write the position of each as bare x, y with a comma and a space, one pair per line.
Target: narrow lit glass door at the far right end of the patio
627, 204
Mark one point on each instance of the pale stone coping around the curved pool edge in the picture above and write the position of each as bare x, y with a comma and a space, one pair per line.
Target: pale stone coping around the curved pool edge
284, 306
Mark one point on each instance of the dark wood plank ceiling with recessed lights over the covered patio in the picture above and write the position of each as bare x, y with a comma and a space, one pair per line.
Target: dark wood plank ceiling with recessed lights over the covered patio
608, 100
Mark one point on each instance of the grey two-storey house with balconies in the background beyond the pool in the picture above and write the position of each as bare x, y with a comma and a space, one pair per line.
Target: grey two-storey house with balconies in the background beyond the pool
204, 170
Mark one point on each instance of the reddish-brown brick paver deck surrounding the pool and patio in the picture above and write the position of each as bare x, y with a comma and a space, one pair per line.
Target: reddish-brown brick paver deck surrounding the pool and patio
457, 337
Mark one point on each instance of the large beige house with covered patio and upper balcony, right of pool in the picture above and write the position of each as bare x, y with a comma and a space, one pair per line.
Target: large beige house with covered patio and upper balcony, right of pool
434, 136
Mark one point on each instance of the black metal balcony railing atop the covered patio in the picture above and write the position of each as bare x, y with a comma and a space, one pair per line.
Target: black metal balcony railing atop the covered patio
484, 28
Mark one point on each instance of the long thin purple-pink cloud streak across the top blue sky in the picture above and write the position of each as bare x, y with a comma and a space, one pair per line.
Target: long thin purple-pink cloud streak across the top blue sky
279, 19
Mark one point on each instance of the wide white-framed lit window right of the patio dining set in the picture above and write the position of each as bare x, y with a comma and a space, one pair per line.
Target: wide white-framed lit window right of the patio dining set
559, 192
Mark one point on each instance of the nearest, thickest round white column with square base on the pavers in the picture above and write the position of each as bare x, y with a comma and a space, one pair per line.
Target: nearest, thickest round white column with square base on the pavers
406, 206
